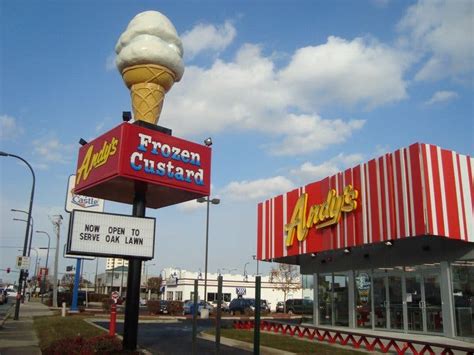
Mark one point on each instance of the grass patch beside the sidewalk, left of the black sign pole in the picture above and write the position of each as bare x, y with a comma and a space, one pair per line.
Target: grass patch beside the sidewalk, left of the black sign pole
52, 328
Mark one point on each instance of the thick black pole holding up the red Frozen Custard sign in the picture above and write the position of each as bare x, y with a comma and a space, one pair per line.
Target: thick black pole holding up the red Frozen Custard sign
132, 305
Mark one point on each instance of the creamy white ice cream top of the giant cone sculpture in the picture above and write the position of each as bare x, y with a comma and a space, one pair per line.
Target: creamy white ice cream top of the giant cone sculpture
150, 38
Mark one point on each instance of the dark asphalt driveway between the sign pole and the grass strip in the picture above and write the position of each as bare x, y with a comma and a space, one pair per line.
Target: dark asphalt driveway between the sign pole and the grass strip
175, 338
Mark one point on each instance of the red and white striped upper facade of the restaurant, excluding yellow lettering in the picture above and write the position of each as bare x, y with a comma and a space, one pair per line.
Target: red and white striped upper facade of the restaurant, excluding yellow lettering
416, 191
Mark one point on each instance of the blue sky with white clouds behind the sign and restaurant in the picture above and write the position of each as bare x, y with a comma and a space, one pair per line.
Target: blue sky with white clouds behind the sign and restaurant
290, 92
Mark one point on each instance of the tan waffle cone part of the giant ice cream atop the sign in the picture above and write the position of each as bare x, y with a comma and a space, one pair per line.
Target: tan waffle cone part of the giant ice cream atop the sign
148, 85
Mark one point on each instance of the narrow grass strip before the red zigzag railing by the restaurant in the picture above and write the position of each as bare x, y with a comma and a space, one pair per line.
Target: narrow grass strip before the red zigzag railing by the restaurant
284, 342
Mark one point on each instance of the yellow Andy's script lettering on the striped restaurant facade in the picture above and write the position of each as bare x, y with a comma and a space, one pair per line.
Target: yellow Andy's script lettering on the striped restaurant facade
322, 215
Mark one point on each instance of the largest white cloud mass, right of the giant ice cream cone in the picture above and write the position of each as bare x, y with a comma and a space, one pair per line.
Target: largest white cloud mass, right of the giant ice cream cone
251, 93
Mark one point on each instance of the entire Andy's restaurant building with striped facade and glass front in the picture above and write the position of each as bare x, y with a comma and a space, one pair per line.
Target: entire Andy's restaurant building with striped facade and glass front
388, 244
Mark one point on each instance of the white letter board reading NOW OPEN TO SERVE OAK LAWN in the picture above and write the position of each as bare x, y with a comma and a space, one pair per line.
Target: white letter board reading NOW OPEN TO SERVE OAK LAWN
111, 235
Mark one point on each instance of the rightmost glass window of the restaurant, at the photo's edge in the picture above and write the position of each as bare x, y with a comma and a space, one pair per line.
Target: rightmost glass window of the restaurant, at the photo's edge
463, 293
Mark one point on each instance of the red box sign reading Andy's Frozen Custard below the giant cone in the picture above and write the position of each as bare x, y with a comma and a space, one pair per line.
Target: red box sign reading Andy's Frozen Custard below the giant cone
171, 169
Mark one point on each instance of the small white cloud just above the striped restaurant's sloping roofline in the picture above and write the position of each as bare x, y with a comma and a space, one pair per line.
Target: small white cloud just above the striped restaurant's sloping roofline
311, 172
